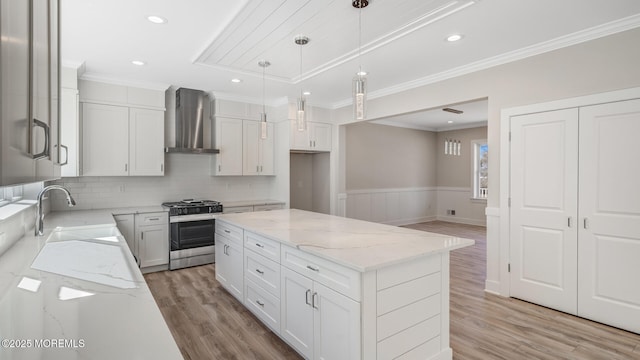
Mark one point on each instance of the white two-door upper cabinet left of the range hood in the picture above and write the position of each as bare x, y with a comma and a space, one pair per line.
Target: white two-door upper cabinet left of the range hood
122, 141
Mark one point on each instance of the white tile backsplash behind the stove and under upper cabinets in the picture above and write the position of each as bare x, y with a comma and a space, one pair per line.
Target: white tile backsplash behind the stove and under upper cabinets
186, 176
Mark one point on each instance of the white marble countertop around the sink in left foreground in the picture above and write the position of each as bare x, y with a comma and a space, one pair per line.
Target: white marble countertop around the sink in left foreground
99, 314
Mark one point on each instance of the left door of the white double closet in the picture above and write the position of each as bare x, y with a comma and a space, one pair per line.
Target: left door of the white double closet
544, 152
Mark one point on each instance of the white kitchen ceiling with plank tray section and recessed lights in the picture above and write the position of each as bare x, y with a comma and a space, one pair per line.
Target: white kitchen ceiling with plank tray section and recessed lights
206, 43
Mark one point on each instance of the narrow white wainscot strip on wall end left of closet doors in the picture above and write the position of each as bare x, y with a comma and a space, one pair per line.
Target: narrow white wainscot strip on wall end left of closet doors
492, 283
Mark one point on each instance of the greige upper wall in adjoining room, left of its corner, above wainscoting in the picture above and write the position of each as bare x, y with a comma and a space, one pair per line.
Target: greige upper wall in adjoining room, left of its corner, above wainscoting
381, 156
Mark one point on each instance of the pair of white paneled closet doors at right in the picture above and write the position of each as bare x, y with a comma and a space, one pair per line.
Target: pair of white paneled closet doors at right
575, 211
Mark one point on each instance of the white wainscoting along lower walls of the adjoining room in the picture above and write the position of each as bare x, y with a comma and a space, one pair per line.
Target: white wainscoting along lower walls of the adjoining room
413, 205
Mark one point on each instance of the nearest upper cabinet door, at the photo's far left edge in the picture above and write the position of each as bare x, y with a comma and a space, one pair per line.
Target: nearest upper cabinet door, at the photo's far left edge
16, 164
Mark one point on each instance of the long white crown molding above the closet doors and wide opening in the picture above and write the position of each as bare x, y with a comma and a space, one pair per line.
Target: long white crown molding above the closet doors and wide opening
593, 33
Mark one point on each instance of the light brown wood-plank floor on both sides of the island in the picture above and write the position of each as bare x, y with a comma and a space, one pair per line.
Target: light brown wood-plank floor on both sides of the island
208, 323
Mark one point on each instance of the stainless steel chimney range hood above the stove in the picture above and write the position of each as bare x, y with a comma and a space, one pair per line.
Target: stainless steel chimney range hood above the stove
190, 122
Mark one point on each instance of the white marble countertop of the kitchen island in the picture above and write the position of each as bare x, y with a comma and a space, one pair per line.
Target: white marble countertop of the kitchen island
360, 245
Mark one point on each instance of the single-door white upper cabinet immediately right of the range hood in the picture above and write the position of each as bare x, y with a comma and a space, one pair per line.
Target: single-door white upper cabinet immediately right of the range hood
228, 140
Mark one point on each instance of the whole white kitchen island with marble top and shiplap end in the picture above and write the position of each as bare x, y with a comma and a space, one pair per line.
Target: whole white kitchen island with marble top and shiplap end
338, 288
